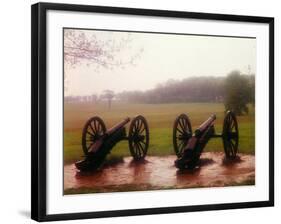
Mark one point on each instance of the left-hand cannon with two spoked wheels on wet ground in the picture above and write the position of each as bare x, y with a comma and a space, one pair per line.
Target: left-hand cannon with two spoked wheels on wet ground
97, 142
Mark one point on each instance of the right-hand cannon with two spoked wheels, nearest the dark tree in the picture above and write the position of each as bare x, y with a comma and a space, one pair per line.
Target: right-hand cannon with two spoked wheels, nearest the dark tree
188, 147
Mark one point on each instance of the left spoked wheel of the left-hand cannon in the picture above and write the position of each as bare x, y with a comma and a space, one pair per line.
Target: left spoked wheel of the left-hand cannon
92, 131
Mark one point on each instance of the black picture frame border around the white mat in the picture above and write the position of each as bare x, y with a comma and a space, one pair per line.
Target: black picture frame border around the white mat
38, 108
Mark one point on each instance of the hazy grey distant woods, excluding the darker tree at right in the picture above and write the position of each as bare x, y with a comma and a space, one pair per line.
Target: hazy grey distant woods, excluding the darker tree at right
195, 89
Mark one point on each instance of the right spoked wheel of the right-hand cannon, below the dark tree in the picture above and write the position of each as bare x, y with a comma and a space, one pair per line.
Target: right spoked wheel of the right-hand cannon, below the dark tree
230, 135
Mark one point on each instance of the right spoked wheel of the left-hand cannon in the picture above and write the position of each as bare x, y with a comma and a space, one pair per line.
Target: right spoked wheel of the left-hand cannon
138, 137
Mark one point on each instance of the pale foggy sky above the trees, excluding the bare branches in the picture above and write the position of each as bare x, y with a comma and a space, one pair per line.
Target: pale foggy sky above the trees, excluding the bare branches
164, 57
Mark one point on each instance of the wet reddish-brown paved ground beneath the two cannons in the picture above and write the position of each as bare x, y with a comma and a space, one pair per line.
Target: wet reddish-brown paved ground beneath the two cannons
160, 173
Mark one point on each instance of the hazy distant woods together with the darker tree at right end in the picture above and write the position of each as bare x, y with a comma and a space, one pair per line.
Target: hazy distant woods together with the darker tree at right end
234, 90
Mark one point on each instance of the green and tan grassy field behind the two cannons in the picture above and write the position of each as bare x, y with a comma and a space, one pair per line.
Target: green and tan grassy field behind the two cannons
160, 118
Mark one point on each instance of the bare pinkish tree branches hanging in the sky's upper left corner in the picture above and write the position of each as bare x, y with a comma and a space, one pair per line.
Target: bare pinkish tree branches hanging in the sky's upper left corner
85, 47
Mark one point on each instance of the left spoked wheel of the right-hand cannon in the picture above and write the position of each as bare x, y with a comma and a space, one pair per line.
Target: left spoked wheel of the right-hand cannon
182, 132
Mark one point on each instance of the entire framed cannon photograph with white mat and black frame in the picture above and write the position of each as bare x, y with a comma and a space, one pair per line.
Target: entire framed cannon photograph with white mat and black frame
141, 111
